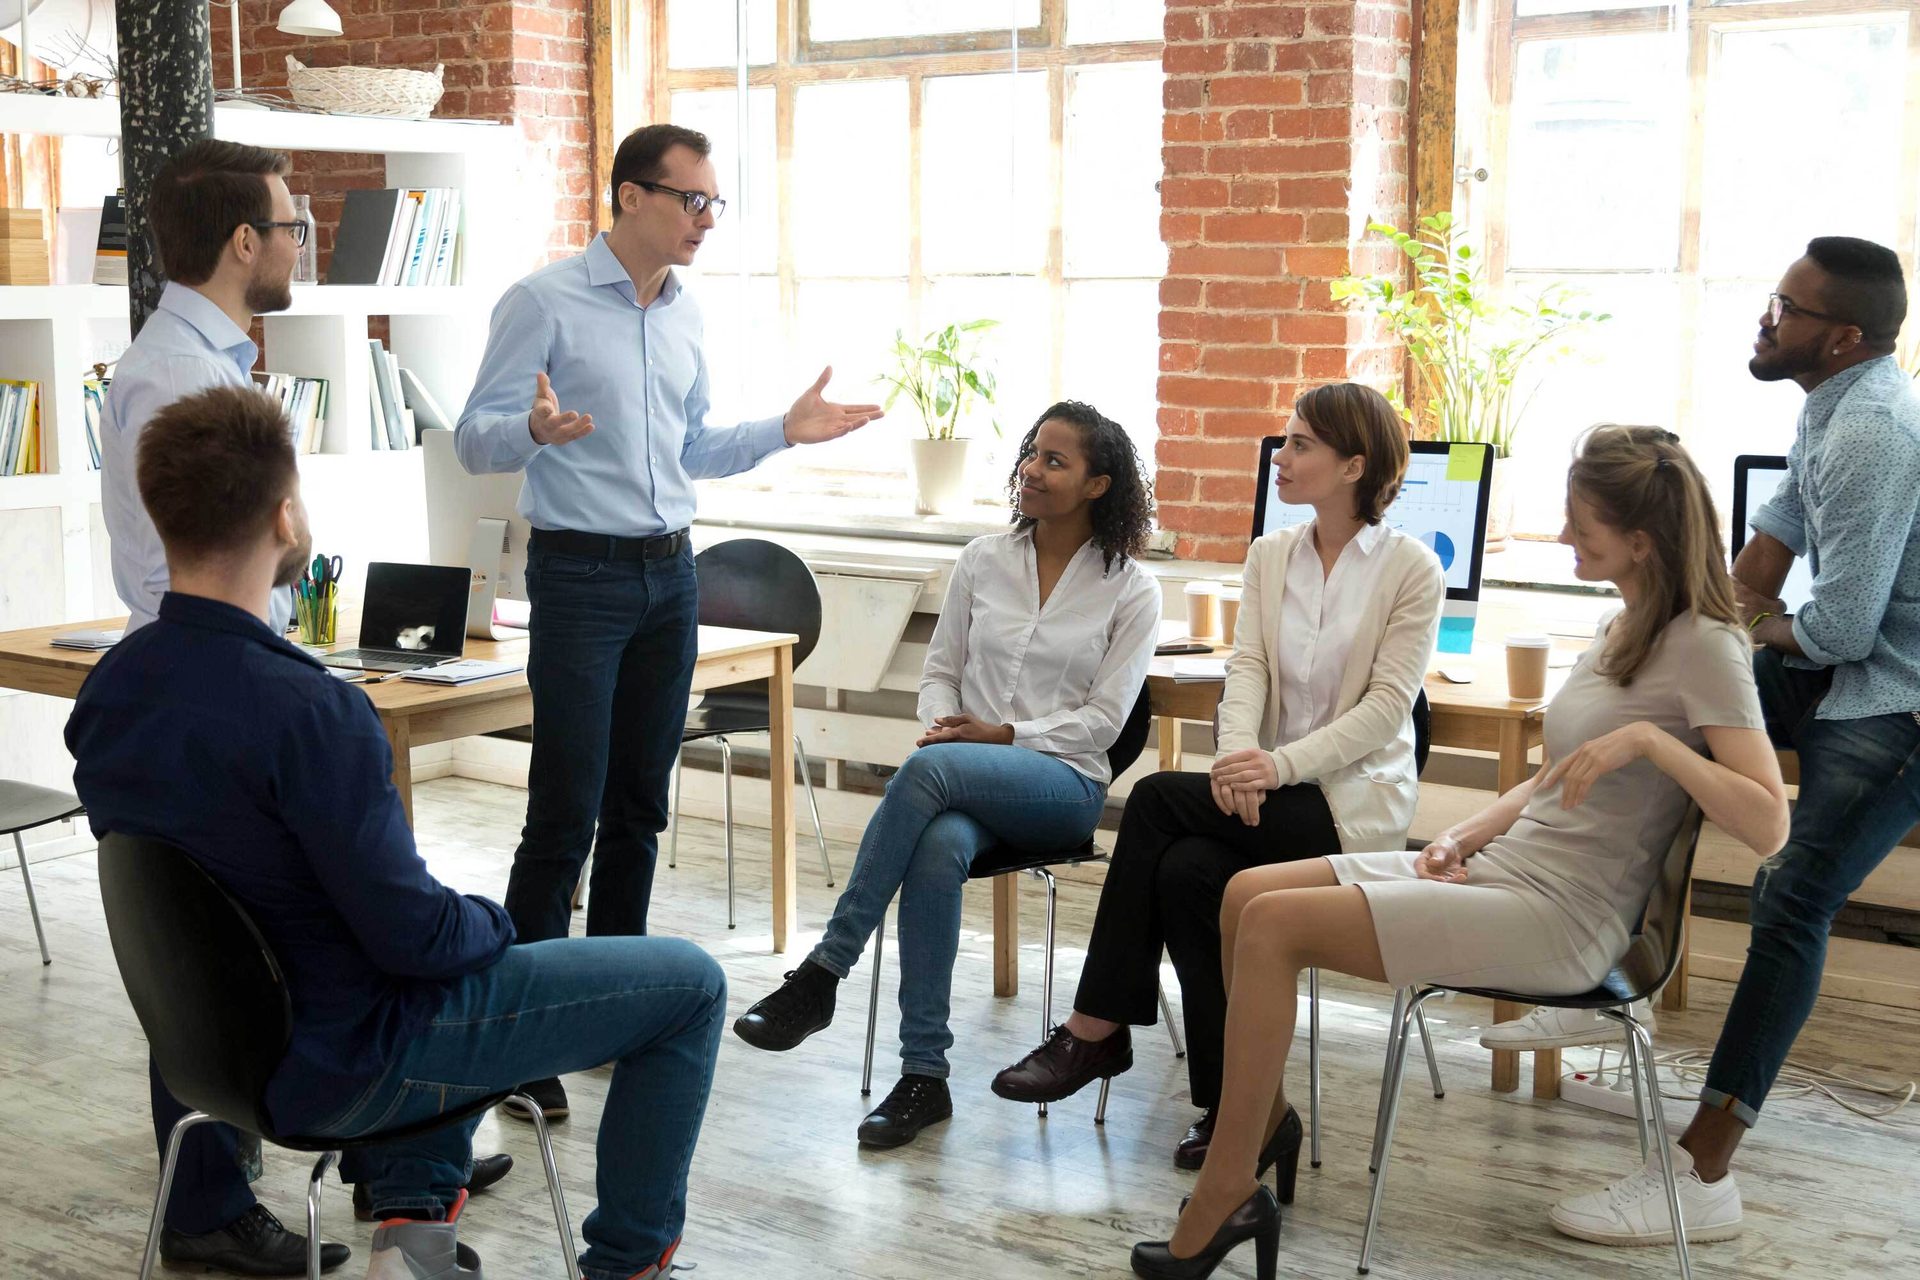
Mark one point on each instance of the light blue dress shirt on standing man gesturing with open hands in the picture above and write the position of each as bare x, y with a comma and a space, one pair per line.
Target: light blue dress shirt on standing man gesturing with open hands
642, 377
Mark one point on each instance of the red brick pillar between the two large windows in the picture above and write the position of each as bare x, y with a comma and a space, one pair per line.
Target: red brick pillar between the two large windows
1285, 133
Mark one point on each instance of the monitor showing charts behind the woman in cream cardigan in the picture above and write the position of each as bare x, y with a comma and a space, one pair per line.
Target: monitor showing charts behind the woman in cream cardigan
1443, 502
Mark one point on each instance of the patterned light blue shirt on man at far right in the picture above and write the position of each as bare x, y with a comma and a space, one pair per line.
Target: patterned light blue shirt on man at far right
1852, 504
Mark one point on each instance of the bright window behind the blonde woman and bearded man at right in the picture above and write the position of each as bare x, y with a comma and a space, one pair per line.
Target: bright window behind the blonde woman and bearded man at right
1673, 160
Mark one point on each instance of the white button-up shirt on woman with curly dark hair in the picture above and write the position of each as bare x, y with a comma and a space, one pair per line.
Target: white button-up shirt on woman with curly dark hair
1065, 675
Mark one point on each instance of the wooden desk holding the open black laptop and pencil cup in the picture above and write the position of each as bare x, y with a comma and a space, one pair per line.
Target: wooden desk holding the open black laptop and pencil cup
418, 715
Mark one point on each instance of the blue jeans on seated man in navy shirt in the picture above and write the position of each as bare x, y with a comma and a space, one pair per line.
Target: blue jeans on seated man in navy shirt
650, 1007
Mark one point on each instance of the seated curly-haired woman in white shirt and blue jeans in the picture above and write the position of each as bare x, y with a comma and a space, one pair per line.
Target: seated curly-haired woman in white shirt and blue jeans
1036, 663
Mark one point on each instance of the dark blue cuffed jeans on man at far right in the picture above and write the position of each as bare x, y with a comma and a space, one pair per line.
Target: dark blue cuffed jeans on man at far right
1860, 795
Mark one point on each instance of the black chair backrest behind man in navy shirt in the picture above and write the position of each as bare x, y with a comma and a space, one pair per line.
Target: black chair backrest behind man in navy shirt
201, 976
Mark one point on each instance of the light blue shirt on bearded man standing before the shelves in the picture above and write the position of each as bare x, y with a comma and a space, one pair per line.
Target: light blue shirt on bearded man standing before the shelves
187, 346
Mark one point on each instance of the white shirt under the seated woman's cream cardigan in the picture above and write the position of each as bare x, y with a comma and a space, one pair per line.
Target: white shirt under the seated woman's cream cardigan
1320, 617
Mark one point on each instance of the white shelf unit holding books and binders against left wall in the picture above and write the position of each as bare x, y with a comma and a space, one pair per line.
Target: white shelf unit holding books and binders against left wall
366, 504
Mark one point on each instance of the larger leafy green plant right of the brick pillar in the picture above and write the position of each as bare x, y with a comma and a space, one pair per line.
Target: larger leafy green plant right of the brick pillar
1466, 346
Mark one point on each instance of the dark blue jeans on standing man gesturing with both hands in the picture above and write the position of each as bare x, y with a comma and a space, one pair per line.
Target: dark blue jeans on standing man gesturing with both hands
612, 663
